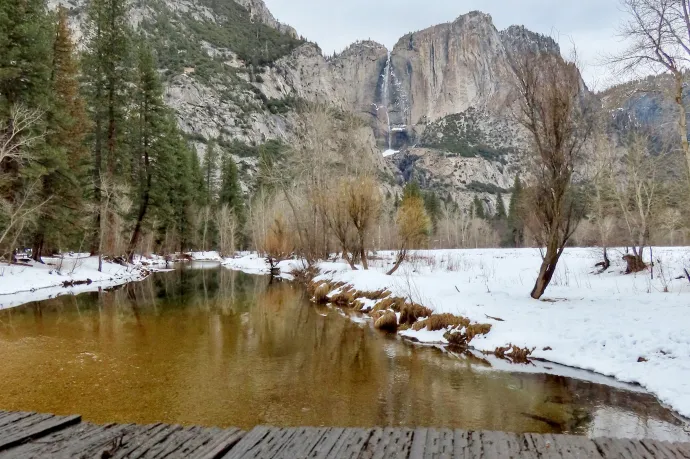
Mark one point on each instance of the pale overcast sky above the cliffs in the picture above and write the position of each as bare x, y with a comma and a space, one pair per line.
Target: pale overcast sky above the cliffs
334, 24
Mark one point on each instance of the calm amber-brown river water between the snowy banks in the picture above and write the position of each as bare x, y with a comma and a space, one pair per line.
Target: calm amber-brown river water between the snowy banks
216, 347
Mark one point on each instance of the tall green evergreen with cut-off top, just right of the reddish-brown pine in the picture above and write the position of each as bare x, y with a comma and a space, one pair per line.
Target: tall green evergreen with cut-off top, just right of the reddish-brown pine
107, 63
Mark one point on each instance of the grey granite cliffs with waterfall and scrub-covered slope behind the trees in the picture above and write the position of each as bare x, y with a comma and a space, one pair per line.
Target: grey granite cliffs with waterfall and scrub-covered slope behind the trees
437, 101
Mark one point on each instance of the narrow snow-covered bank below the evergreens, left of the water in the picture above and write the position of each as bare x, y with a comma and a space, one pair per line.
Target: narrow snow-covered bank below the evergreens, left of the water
22, 284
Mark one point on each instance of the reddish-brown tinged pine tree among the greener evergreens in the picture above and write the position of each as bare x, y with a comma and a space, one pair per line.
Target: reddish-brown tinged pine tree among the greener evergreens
64, 160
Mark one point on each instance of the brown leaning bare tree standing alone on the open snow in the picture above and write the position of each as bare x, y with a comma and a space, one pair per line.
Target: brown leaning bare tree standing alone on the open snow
553, 108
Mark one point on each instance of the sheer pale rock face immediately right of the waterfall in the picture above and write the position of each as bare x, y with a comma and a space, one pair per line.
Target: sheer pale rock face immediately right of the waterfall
449, 68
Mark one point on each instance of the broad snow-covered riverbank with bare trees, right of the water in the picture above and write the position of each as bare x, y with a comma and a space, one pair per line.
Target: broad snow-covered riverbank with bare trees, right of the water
627, 326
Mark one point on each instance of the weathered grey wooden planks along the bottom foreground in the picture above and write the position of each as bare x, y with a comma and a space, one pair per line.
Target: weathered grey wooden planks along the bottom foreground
33, 435
